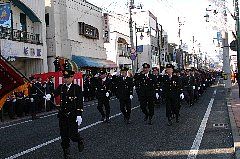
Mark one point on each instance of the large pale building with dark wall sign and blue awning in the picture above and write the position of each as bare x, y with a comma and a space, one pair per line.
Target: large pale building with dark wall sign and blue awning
75, 31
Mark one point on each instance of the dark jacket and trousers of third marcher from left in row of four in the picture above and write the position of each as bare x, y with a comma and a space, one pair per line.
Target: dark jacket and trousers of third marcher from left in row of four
147, 90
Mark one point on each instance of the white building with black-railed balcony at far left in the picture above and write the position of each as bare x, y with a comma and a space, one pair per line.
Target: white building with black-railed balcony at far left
23, 35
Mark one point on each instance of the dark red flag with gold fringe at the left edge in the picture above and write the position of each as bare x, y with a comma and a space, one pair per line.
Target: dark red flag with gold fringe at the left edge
10, 81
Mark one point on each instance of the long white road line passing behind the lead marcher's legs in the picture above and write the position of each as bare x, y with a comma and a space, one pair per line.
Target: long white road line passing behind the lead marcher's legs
58, 138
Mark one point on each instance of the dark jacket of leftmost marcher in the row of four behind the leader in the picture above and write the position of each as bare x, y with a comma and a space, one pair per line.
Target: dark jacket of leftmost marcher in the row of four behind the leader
102, 87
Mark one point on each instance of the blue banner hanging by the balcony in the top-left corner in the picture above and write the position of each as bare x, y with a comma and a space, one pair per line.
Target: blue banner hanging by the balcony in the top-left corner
5, 15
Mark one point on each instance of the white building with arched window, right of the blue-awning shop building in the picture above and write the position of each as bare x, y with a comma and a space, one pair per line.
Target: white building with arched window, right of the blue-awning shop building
118, 46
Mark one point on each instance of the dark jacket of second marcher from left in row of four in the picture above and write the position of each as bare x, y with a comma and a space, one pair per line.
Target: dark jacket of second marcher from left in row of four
124, 88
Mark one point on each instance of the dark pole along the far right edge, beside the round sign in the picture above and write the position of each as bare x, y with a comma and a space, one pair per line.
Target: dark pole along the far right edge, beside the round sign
238, 43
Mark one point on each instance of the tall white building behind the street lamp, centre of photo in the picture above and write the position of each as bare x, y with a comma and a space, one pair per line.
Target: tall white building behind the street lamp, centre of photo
147, 34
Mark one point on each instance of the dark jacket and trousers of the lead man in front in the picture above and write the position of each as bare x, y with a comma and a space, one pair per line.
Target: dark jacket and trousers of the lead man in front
71, 105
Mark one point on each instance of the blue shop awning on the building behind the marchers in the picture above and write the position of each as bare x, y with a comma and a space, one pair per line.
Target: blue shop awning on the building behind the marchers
83, 61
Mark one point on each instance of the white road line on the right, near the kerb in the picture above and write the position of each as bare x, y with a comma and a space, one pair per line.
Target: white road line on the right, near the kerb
198, 139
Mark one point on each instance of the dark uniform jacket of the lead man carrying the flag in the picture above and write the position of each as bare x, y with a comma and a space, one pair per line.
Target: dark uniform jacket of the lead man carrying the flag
71, 101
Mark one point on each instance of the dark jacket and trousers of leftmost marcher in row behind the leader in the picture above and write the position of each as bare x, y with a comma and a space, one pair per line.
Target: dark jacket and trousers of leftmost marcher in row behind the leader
102, 88
